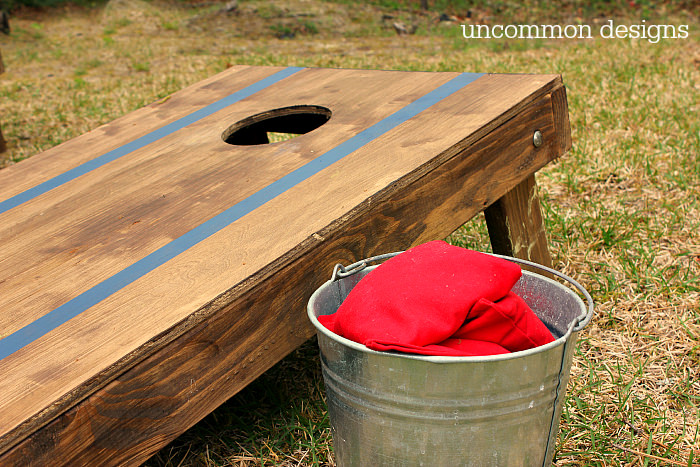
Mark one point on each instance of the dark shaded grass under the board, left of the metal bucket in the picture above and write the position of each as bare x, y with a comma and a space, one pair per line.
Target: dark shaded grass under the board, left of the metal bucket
279, 419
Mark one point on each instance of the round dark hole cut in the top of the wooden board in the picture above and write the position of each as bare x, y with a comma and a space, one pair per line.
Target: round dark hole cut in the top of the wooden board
283, 123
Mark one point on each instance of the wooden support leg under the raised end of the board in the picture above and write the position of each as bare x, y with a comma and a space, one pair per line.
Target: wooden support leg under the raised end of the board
515, 224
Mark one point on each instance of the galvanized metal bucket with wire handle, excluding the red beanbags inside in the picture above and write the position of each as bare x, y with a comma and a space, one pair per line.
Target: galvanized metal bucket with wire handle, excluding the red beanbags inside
398, 409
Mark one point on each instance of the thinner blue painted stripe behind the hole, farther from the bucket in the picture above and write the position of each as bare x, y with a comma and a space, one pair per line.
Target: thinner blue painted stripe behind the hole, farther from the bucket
144, 140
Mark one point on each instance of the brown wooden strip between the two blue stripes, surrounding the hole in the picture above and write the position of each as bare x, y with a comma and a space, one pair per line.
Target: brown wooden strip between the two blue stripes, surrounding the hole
119, 204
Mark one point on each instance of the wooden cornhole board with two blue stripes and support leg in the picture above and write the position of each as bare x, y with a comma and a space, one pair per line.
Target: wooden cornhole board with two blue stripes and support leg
149, 269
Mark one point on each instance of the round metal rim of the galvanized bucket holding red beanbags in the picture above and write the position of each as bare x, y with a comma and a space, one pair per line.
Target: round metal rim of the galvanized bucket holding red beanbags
575, 325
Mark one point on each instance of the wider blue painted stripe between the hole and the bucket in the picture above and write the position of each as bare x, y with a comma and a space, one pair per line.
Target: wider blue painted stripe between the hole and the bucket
101, 291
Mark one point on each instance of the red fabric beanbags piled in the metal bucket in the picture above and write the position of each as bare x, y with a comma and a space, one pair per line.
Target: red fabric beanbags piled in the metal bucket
439, 299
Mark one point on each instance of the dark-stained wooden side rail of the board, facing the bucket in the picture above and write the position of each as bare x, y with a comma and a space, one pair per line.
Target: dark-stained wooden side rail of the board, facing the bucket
103, 424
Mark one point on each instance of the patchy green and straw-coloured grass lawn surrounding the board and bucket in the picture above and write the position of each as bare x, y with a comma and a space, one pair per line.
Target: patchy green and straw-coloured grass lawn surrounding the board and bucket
622, 208
